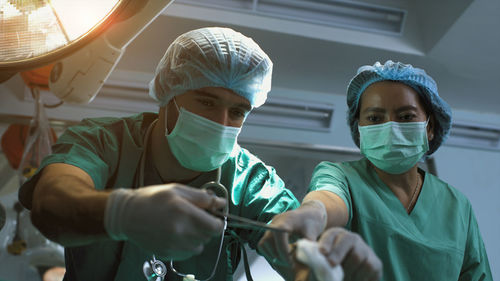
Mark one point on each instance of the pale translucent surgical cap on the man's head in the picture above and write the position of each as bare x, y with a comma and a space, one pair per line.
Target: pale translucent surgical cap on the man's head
213, 57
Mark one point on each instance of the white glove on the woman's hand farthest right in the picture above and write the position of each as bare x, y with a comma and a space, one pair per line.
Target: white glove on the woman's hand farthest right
358, 260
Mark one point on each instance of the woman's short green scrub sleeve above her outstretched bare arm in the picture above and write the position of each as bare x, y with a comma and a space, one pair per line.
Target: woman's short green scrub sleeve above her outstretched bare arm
330, 177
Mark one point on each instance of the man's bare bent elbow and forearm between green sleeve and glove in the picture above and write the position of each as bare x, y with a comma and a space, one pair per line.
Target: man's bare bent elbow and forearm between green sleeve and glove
66, 207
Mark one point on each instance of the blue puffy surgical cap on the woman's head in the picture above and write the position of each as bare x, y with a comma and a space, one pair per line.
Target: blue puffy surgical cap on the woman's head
414, 77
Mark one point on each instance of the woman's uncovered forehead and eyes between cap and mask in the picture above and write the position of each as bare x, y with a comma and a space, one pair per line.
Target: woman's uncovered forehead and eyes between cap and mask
392, 101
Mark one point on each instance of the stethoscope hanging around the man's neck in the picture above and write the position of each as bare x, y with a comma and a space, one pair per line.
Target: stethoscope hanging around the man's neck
155, 269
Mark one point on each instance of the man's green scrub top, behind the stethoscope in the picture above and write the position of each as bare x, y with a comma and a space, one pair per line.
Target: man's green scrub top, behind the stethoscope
109, 150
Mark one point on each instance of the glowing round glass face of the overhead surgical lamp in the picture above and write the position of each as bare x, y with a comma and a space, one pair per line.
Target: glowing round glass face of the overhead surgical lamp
34, 33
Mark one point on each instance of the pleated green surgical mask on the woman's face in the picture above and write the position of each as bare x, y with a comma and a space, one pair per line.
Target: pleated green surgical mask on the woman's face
392, 146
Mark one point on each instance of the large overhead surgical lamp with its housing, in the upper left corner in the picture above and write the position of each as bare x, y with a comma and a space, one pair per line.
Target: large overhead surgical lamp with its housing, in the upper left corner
84, 39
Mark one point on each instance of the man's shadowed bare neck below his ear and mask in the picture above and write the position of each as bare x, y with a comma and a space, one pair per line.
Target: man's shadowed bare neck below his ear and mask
169, 169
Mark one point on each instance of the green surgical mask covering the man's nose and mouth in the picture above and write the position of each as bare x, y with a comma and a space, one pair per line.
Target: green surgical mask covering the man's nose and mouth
200, 144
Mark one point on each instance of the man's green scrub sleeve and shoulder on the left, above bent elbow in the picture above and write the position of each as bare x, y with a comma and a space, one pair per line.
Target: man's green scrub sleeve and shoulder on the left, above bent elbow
96, 146
